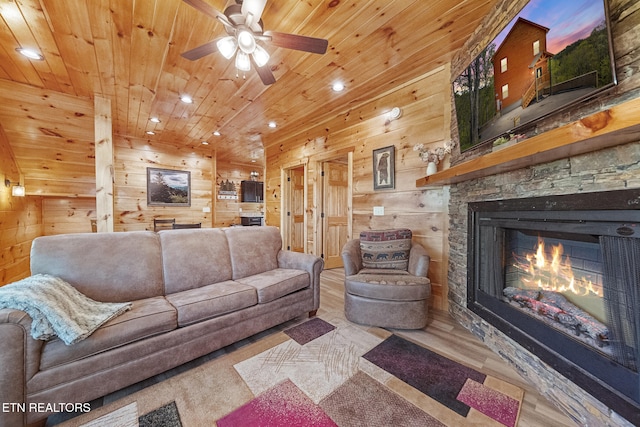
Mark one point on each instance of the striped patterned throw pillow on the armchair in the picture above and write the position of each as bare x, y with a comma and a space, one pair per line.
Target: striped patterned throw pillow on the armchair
385, 248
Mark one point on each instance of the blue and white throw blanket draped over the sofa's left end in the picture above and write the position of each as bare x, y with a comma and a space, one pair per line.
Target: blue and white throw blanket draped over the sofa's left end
57, 308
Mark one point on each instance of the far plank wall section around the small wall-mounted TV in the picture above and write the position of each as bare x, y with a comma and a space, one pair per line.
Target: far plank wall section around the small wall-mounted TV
228, 211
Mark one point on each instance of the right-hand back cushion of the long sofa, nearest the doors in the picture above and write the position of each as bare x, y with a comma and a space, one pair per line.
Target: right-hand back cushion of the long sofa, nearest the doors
253, 249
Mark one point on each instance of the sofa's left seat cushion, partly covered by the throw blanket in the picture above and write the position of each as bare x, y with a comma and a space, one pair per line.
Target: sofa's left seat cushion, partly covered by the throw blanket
147, 317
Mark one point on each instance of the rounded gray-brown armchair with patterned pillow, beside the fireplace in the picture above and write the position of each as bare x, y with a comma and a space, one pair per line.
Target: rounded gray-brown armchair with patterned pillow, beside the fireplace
386, 280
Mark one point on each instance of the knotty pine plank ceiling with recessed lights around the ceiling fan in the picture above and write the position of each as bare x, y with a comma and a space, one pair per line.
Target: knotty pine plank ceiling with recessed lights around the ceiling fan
129, 52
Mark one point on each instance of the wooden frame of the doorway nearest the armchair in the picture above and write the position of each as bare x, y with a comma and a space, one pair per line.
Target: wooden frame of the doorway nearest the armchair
318, 196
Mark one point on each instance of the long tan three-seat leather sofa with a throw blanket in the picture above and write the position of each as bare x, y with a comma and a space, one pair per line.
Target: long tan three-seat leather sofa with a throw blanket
193, 292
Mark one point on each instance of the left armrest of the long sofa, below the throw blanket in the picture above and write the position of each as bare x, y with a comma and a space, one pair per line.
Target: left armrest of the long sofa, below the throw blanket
20, 360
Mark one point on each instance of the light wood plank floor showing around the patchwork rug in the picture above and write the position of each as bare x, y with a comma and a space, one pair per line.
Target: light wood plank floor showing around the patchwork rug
442, 334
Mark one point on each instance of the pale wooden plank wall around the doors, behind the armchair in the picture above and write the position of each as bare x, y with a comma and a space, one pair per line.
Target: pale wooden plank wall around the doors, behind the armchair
425, 103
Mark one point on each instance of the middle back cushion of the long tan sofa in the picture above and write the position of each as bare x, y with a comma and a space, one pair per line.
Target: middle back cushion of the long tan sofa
193, 258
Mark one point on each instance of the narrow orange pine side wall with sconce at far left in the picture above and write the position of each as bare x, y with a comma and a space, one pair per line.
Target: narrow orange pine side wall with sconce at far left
20, 220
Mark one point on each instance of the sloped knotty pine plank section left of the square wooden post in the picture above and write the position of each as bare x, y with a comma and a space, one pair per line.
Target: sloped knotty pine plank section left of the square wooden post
52, 138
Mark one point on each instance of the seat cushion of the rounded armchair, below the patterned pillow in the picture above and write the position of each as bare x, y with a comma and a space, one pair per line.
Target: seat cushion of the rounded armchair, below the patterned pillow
388, 287
